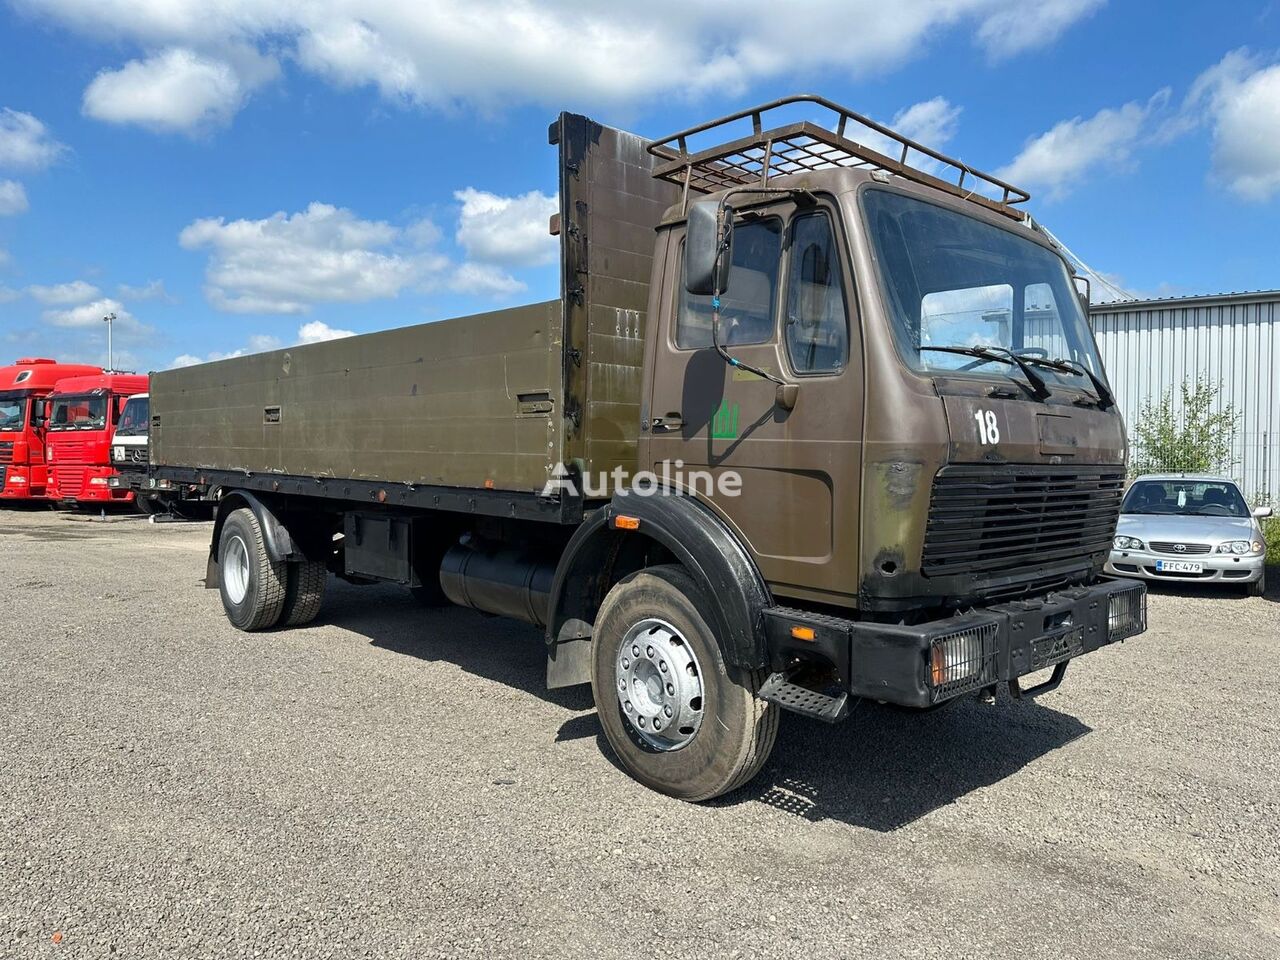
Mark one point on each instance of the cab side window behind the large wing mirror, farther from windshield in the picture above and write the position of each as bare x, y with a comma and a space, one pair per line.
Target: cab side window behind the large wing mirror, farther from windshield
748, 303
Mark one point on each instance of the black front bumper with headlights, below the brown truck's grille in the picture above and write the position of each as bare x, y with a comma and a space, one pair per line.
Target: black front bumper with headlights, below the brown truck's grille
929, 664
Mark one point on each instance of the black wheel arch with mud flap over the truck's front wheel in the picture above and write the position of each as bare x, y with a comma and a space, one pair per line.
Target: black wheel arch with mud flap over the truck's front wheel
601, 554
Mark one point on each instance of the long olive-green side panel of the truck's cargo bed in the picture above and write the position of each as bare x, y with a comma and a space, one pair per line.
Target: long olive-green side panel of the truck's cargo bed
469, 403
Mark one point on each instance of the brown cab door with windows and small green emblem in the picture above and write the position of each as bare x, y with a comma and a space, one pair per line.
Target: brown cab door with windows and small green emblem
787, 481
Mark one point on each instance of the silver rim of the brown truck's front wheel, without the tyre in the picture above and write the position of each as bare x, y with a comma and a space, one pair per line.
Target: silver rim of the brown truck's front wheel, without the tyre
660, 685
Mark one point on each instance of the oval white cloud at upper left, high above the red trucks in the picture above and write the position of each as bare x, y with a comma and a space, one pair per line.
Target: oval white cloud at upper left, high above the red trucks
177, 90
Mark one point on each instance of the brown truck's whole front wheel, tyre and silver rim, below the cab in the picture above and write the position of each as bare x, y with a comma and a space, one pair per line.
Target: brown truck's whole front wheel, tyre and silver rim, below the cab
680, 720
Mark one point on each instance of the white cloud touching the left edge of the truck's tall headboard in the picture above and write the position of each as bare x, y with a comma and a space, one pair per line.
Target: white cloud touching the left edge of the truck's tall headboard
511, 231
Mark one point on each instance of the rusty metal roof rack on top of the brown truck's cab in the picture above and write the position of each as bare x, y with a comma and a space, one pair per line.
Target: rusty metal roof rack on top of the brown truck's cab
797, 148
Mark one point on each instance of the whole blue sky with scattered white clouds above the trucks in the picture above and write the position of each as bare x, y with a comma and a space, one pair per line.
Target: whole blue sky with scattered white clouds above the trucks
231, 176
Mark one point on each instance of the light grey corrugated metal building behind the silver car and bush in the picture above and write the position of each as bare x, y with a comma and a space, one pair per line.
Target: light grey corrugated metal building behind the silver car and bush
1231, 340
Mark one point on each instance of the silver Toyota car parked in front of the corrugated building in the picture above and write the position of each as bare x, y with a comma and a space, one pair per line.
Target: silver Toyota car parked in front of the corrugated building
1190, 529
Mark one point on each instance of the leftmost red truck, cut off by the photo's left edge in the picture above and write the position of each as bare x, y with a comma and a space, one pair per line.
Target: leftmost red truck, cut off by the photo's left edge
25, 390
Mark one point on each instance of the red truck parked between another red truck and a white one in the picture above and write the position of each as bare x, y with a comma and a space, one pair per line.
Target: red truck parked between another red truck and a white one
84, 413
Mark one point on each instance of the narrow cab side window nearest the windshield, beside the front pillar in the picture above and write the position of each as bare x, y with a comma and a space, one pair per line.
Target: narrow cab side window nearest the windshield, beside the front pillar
817, 318
